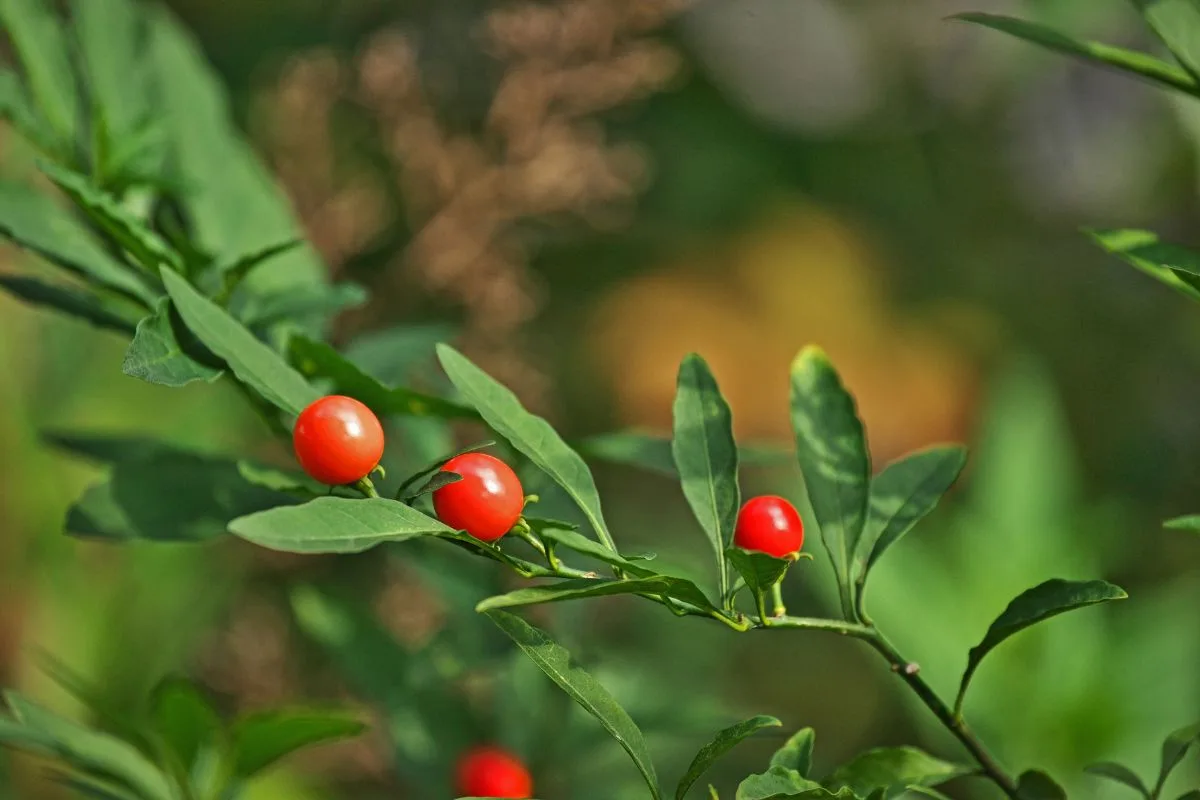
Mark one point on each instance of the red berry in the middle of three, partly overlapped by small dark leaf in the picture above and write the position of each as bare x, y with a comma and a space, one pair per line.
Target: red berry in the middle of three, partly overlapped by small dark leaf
487, 503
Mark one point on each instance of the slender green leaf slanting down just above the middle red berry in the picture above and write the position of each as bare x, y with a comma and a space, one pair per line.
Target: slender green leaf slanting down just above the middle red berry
529, 434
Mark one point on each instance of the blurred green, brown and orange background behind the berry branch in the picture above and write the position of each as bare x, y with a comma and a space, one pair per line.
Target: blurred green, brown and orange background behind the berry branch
583, 193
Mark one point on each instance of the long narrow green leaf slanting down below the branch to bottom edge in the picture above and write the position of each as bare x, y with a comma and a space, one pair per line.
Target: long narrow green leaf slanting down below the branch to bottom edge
556, 663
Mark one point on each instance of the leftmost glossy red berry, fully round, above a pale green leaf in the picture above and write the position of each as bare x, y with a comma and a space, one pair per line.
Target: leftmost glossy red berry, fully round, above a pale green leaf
338, 440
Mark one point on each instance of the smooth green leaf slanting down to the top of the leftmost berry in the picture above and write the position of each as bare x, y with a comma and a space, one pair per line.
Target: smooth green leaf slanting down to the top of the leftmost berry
254, 363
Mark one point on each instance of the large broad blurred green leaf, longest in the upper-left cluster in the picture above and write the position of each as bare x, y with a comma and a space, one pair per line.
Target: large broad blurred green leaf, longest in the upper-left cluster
232, 200
